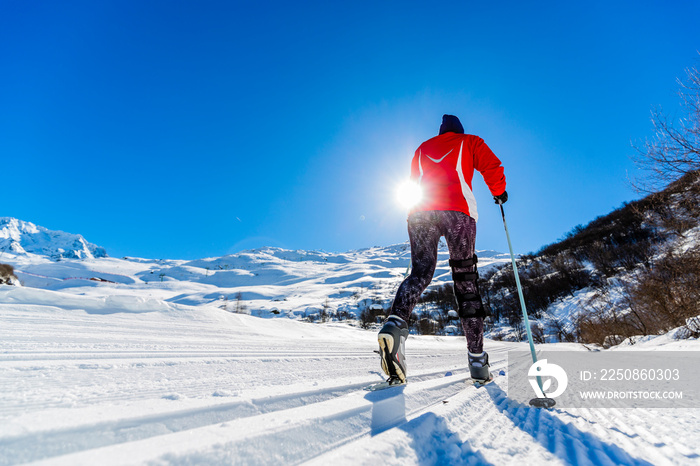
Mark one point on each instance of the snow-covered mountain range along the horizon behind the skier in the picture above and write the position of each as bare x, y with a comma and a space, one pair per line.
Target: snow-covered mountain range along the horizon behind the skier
266, 282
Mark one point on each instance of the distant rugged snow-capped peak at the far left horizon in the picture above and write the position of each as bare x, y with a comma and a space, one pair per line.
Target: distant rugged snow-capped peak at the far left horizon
20, 237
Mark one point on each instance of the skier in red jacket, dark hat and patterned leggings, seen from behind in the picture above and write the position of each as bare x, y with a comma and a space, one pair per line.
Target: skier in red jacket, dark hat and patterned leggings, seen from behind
443, 167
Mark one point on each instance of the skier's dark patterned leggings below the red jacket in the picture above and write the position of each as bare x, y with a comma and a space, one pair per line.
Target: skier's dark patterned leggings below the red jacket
424, 231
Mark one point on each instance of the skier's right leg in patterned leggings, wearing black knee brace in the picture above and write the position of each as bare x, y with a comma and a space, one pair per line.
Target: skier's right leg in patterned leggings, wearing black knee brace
460, 234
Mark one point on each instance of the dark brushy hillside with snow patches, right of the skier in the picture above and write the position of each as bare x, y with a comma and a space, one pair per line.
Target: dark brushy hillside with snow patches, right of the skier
630, 273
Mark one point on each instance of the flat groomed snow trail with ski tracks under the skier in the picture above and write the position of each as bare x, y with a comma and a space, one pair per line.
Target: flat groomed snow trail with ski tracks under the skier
194, 387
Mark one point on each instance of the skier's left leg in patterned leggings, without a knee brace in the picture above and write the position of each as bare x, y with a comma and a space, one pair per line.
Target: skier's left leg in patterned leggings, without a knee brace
424, 235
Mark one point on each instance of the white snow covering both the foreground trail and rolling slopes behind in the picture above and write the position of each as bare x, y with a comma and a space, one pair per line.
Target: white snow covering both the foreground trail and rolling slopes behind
137, 370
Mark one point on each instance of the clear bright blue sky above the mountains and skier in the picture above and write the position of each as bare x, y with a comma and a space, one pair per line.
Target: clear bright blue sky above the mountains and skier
172, 129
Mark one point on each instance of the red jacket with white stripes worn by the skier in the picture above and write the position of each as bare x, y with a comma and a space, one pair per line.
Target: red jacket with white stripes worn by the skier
444, 167
